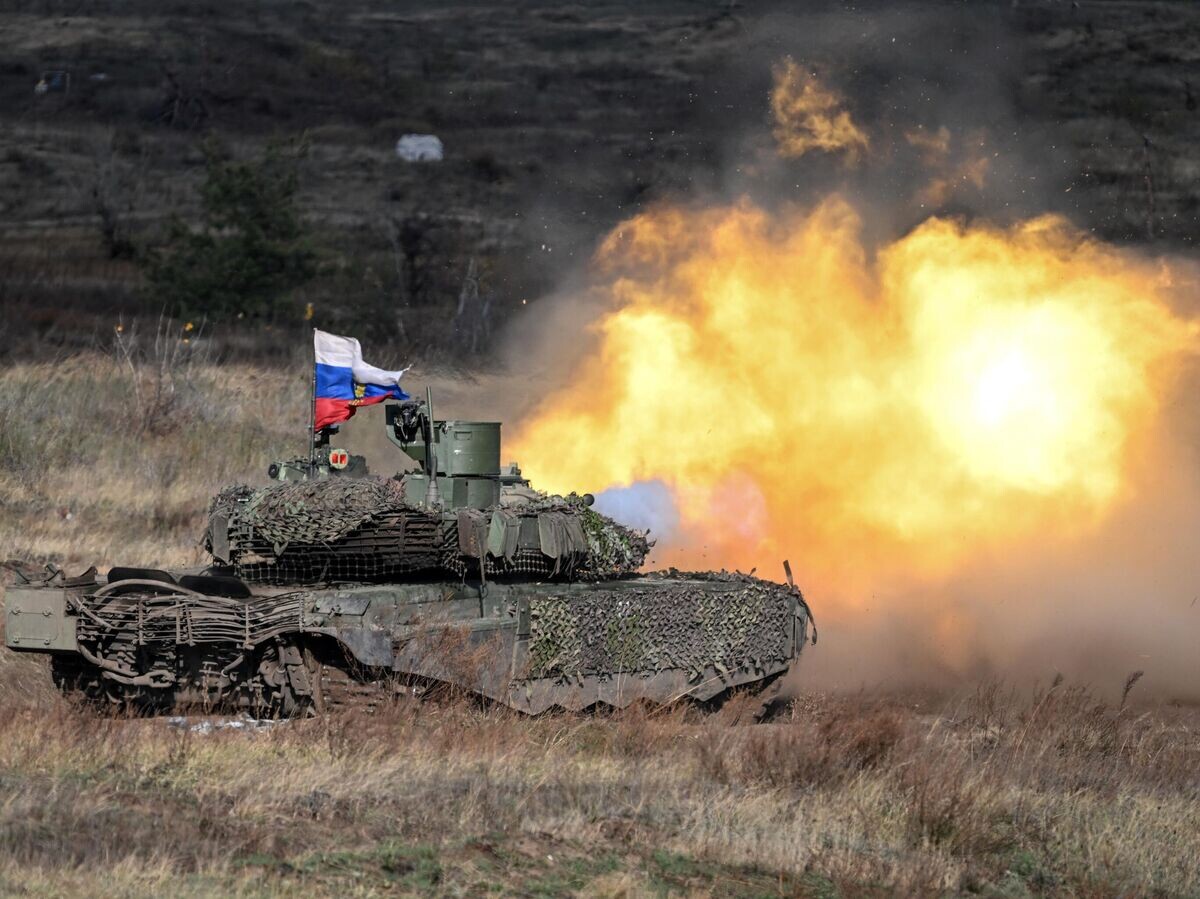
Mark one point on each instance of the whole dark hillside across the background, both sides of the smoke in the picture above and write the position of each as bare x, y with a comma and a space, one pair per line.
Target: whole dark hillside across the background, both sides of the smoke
557, 122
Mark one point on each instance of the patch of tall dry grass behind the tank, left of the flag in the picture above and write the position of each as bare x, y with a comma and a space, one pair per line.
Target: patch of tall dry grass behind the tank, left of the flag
110, 459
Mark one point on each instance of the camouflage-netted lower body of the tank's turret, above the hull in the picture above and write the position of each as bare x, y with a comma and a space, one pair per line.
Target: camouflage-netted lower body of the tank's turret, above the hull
363, 530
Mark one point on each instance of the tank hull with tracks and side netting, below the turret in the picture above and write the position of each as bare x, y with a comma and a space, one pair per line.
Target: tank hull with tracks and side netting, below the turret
151, 642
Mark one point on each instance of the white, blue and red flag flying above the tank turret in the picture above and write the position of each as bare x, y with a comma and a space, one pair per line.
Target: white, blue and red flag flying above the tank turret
345, 382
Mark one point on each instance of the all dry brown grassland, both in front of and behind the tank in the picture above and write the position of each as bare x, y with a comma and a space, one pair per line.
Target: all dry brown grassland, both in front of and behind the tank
994, 793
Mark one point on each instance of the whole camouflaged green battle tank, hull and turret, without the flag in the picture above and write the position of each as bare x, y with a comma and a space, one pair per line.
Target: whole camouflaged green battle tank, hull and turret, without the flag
334, 588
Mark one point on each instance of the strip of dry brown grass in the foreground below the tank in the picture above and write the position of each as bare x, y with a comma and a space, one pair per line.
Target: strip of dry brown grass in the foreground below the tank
998, 794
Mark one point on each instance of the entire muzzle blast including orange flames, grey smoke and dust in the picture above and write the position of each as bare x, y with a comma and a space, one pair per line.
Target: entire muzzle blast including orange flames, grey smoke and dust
959, 433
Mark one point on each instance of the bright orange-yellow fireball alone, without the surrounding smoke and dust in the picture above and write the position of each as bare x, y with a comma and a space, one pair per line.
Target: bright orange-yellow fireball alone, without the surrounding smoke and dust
961, 389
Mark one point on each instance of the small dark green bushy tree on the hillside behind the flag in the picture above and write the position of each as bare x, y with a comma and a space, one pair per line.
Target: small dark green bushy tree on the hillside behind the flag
250, 251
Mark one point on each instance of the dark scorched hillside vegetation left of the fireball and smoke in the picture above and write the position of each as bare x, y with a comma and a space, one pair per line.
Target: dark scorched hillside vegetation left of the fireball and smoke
434, 257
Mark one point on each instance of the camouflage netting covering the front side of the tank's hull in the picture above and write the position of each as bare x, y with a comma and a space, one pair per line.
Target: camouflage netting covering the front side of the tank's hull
730, 622
